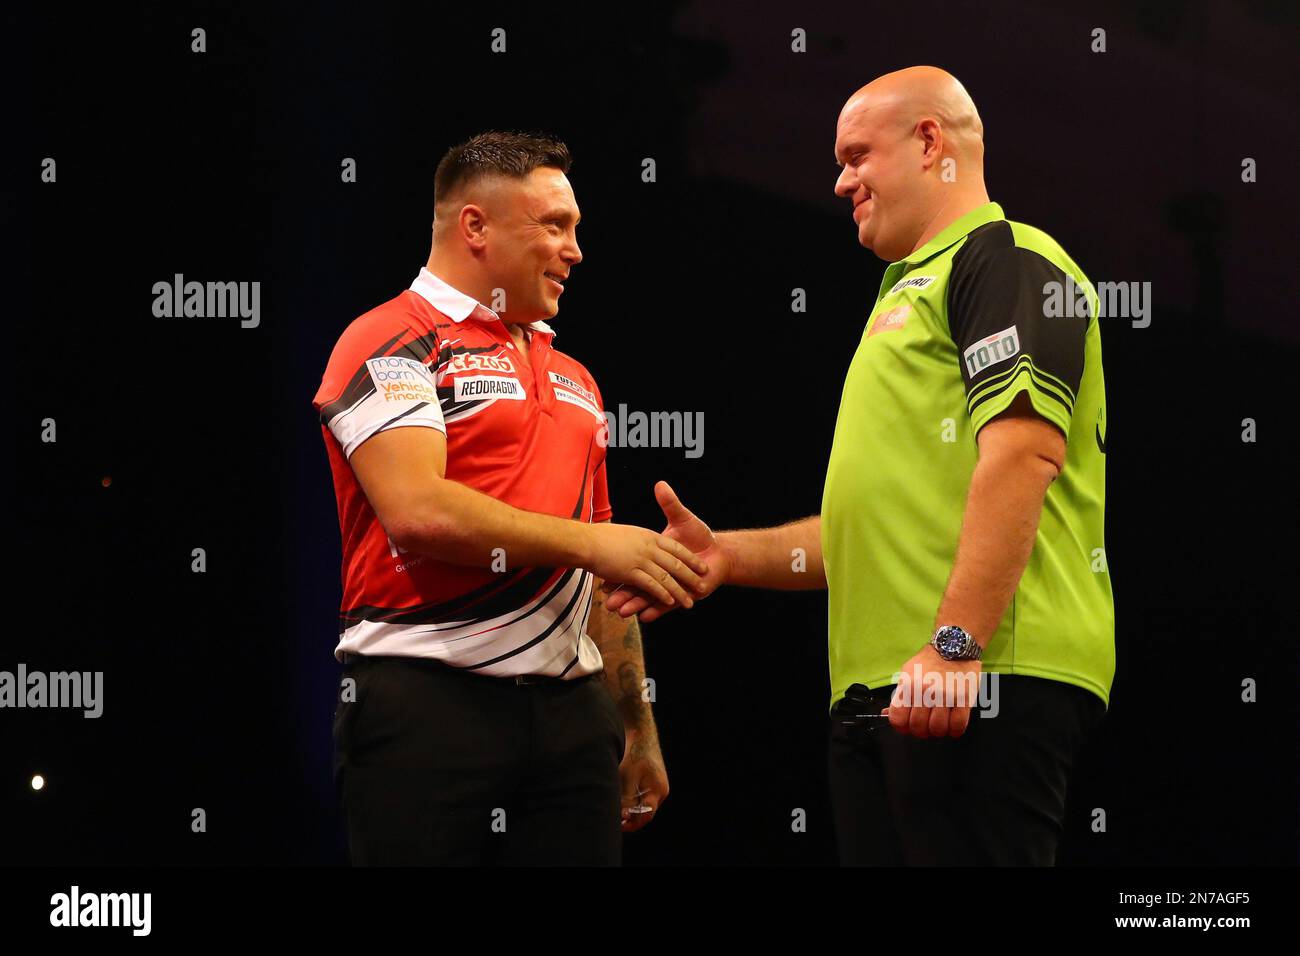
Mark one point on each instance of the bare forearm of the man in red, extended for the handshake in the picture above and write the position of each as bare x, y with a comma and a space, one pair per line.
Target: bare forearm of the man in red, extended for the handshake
462, 526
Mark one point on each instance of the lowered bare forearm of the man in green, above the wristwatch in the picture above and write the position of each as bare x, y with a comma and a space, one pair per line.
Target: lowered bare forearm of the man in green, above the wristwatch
1003, 509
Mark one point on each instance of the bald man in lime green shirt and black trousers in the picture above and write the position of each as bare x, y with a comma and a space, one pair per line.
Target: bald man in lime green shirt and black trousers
964, 504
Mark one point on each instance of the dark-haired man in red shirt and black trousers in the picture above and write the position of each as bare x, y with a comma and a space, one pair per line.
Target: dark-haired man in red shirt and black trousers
469, 462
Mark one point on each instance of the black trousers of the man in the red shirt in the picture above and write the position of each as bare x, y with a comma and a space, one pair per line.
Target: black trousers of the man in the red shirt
439, 767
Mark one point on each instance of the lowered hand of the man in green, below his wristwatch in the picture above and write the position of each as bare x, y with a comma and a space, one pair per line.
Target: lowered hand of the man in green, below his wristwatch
934, 698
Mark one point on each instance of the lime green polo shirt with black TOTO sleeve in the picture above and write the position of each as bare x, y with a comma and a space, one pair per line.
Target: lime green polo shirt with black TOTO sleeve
960, 328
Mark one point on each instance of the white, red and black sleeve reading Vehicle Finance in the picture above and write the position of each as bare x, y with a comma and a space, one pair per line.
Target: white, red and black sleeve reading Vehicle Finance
376, 382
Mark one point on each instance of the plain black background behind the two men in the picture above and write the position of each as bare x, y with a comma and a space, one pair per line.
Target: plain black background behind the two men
226, 166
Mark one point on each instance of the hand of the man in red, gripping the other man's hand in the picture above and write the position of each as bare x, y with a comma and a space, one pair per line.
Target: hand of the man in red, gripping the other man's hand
656, 565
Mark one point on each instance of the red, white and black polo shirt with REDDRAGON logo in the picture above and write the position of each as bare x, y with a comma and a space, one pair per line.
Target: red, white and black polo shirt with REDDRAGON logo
531, 438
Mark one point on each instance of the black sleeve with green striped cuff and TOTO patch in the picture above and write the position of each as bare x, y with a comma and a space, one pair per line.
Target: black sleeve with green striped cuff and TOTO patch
1008, 343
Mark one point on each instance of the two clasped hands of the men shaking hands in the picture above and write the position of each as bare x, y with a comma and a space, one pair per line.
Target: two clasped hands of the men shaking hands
649, 574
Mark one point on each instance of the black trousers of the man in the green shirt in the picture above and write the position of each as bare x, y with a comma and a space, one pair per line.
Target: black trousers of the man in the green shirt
993, 797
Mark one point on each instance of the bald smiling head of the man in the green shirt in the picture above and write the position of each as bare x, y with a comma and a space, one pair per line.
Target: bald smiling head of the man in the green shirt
912, 152
